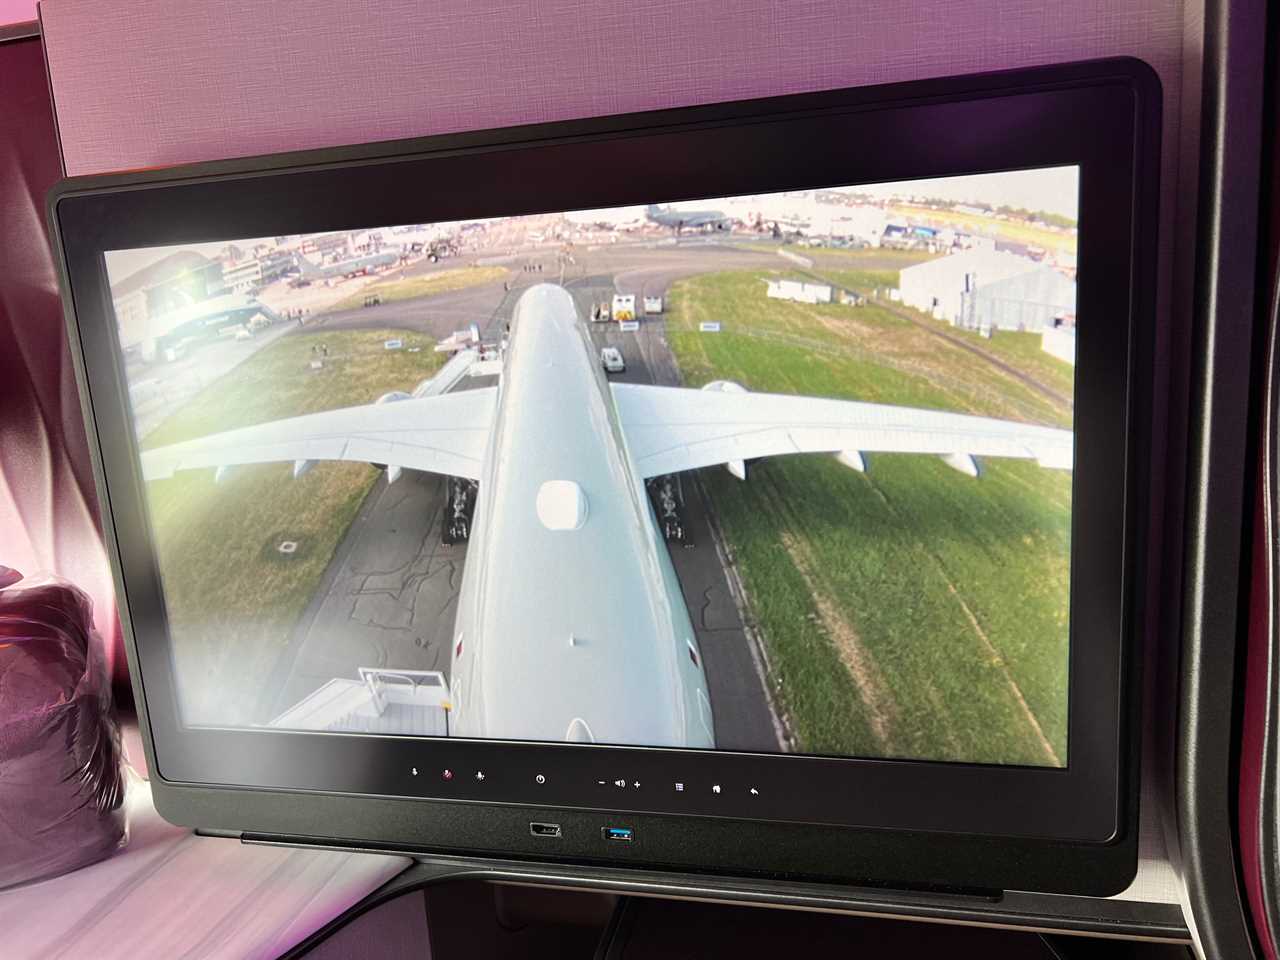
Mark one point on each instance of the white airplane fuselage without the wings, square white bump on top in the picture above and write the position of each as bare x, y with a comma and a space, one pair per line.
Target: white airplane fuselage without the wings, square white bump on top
572, 624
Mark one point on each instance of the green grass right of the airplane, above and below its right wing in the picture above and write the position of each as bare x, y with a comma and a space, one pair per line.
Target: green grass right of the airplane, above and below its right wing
911, 611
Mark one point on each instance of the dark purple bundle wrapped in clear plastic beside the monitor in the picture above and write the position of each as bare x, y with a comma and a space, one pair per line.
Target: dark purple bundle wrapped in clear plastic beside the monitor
62, 788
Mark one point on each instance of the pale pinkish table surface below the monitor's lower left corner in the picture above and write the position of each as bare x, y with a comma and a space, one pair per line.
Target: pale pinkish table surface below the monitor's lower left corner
171, 894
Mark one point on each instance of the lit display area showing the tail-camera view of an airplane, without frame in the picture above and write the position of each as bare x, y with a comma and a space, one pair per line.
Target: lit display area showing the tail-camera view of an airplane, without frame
784, 473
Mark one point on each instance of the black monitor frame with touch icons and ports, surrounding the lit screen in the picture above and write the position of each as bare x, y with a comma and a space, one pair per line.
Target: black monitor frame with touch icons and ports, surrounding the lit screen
894, 821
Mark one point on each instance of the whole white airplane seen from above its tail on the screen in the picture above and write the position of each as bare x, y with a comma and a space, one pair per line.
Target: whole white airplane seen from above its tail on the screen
572, 624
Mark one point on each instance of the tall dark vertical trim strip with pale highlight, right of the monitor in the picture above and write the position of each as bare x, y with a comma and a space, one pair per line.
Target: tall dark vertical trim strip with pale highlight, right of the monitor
1220, 482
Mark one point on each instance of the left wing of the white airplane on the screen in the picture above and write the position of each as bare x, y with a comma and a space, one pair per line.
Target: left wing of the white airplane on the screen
444, 435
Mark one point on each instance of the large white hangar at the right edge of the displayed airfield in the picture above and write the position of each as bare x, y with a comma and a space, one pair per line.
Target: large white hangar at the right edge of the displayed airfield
989, 290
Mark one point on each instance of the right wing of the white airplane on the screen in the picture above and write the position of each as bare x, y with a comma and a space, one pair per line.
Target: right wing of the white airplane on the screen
670, 429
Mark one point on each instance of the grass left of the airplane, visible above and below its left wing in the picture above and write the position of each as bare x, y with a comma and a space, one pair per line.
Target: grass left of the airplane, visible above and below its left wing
232, 610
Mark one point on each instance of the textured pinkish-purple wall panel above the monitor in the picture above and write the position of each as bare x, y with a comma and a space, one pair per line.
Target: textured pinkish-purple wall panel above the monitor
150, 83
